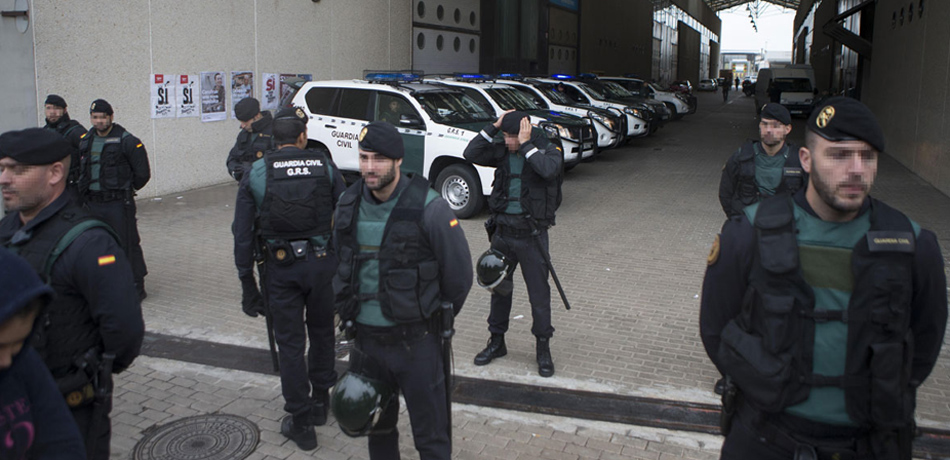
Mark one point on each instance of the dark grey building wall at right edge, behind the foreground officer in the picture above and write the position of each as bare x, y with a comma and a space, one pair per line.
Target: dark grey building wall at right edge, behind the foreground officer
909, 87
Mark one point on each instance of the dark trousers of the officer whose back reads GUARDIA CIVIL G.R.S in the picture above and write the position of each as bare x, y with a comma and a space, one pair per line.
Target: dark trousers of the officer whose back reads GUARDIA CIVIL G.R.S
300, 298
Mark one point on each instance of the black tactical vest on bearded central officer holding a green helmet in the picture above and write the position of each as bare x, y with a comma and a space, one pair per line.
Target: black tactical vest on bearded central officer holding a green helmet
408, 270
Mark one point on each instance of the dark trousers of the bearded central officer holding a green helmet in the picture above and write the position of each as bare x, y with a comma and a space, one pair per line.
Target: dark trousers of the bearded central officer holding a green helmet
415, 368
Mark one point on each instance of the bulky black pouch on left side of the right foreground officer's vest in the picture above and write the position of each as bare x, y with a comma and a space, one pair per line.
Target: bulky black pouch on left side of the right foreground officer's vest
765, 379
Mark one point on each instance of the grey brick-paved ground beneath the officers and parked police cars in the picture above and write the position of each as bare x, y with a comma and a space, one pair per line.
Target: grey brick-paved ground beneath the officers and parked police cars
630, 248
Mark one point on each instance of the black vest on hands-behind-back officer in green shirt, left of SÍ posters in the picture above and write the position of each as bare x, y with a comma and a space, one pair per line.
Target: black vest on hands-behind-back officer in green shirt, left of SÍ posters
115, 171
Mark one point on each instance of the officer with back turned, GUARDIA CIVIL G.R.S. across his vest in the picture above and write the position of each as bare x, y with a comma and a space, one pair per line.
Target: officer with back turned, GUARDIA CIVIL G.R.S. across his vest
291, 192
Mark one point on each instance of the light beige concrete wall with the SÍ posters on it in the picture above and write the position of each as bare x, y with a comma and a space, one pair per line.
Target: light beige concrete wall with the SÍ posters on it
111, 55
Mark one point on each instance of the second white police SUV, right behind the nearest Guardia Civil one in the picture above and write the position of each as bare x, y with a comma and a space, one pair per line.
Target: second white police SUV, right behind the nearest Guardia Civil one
576, 133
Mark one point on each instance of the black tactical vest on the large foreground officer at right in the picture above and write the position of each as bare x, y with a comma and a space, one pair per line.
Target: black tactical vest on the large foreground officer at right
768, 348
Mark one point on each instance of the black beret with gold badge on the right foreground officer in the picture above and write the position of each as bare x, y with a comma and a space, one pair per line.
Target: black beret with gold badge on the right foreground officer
846, 119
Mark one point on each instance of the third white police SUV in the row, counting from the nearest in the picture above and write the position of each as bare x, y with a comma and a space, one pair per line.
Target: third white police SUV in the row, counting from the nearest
609, 123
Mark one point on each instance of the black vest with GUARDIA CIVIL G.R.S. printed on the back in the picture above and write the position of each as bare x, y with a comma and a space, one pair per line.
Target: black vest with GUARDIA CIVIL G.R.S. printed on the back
297, 200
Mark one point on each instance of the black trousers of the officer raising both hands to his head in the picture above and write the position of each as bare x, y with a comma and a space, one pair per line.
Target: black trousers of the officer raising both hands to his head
524, 251
